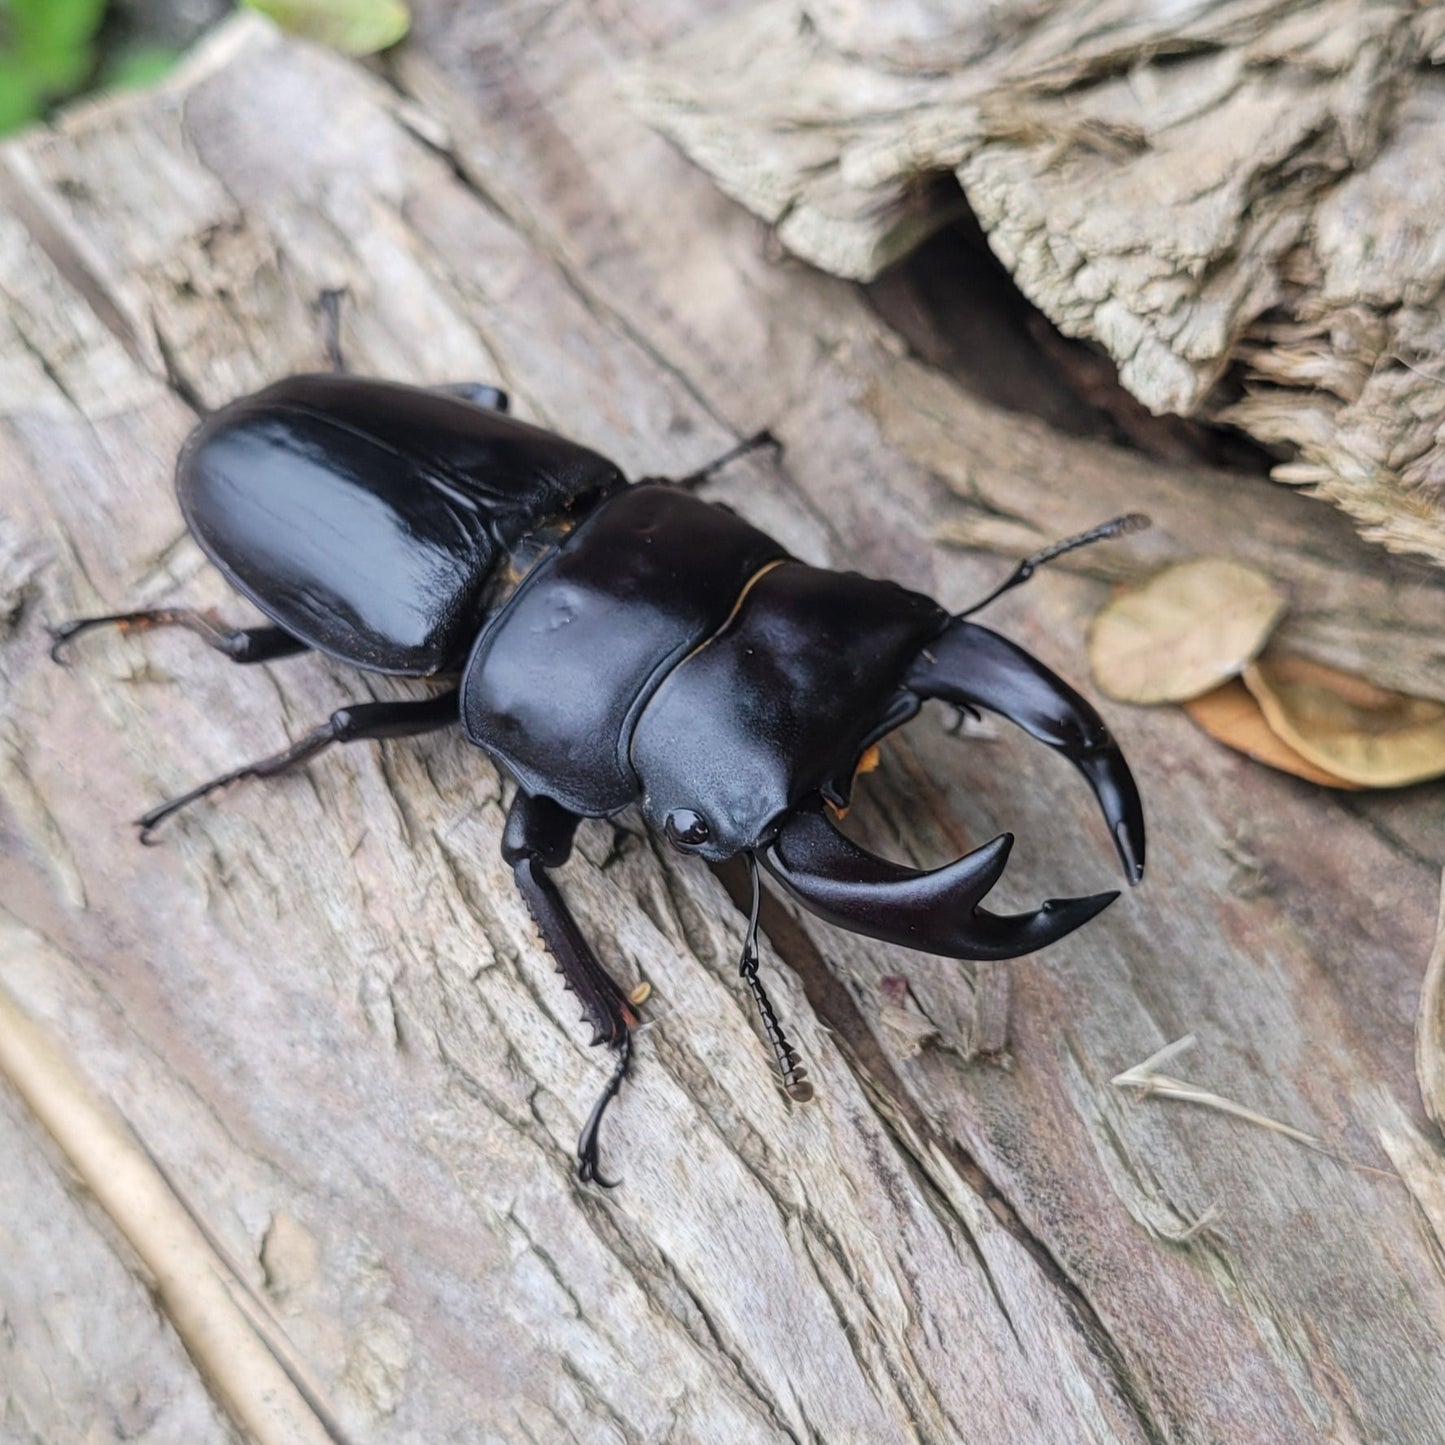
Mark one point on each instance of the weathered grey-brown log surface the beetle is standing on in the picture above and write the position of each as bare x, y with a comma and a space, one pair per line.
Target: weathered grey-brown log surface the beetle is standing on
323, 1014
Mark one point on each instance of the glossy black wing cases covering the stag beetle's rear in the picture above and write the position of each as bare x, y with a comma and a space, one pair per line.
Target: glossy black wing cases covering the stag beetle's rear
368, 518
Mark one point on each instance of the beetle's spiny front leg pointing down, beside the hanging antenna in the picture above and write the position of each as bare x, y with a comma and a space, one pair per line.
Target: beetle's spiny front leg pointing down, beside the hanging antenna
540, 837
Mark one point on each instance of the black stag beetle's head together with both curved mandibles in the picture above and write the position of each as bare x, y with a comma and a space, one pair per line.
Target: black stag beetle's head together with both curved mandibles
748, 738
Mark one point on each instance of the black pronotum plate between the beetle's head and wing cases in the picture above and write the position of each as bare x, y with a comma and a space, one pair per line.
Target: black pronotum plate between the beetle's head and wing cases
558, 677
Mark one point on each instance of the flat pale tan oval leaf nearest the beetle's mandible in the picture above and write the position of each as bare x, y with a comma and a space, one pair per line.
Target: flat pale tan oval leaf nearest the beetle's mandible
1184, 632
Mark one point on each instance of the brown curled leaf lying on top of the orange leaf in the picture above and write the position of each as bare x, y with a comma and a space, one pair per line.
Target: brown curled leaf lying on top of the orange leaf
1347, 726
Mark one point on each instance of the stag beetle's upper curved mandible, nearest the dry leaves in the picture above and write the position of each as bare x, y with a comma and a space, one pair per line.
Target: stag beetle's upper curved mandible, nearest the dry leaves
970, 665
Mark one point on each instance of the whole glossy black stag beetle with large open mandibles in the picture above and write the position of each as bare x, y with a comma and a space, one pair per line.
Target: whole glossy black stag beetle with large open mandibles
613, 644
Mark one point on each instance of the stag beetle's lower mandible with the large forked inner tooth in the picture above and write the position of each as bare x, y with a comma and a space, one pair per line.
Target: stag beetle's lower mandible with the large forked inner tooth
937, 913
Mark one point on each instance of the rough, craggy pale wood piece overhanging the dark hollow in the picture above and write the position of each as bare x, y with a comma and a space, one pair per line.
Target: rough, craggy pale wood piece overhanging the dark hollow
1248, 193
